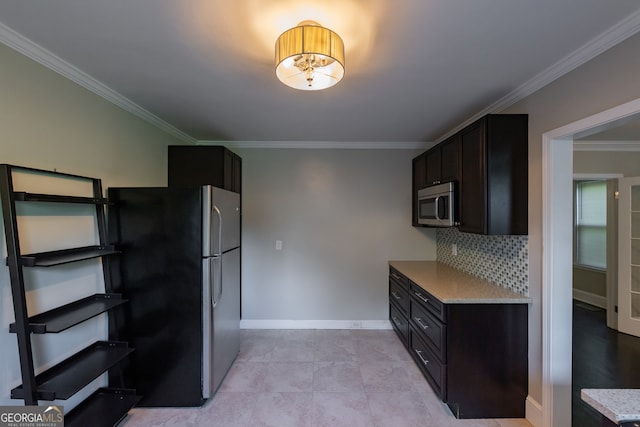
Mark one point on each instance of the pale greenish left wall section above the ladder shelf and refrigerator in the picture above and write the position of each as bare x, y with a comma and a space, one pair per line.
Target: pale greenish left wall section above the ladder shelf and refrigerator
50, 122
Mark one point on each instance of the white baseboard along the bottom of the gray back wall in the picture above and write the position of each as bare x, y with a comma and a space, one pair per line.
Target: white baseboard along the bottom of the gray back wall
314, 324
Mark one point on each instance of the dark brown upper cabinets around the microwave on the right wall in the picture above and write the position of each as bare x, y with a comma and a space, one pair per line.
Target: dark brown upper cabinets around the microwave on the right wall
488, 160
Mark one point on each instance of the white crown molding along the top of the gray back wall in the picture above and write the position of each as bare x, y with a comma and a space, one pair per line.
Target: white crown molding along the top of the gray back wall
345, 145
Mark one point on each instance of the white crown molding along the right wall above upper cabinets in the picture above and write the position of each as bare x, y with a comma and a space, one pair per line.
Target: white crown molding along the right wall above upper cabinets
609, 38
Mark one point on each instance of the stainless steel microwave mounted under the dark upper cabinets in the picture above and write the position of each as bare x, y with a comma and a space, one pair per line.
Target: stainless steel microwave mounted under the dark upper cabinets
436, 205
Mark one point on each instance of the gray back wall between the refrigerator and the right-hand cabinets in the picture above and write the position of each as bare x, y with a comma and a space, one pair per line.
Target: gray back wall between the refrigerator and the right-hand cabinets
341, 215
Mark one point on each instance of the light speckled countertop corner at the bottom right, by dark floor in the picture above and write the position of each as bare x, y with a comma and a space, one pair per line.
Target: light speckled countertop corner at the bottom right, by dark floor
616, 404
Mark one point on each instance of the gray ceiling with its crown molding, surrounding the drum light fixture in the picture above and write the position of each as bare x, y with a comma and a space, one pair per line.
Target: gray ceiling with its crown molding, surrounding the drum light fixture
416, 70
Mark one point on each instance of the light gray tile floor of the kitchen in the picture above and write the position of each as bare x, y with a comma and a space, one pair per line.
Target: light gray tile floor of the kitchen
318, 378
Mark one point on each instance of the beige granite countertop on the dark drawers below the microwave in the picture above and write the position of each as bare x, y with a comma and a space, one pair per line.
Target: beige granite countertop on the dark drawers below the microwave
452, 286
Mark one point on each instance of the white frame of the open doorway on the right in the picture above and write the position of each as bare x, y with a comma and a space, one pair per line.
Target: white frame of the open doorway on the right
557, 229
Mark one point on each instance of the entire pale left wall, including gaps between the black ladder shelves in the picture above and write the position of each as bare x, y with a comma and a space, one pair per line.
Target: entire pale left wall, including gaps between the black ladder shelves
49, 122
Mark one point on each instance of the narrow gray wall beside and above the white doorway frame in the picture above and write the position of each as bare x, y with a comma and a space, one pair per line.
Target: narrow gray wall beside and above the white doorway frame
606, 81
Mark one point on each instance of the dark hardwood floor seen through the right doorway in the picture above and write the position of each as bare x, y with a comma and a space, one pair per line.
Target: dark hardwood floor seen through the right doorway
602, 358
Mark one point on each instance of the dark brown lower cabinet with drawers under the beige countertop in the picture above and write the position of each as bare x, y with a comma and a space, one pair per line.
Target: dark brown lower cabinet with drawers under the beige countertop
474, 356
